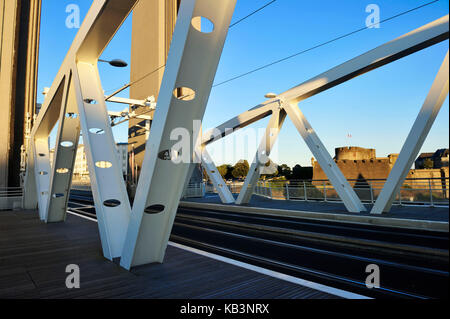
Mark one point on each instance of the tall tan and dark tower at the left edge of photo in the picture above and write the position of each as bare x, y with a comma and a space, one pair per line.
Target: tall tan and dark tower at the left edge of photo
19, 48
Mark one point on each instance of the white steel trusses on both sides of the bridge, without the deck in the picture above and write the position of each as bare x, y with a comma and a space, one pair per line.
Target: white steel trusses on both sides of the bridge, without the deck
139, 235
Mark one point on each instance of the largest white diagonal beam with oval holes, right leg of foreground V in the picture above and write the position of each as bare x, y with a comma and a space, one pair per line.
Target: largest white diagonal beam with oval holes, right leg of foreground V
192, 63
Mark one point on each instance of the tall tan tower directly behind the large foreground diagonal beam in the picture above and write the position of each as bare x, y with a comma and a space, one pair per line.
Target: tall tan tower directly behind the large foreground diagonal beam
149, 52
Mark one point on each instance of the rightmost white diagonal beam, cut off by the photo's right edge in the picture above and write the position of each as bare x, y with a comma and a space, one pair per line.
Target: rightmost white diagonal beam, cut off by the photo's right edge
414, 142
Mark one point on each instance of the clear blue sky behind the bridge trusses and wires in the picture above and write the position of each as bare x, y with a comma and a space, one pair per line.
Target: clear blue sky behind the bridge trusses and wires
377, 109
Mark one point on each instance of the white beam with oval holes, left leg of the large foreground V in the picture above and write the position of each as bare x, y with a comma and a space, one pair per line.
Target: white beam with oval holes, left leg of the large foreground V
112, 206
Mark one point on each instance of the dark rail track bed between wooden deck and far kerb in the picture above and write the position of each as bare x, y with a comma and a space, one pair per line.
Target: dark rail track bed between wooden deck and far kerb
413, 264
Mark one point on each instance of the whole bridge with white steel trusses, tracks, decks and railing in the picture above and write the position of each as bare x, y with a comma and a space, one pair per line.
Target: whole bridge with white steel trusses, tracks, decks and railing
247, 240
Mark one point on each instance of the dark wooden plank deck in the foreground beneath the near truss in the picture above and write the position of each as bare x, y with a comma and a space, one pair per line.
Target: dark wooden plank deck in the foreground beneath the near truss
34, 256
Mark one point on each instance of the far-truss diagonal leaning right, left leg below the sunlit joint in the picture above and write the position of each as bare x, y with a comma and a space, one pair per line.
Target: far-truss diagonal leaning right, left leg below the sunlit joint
262, 156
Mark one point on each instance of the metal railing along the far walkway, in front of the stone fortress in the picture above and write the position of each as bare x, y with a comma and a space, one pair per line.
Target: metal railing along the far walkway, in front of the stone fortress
419, 191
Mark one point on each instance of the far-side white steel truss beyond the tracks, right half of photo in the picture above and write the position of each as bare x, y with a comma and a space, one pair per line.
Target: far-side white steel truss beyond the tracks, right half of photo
407, 44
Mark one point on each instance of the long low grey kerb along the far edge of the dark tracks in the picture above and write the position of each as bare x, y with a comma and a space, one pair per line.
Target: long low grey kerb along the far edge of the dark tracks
343, 218
